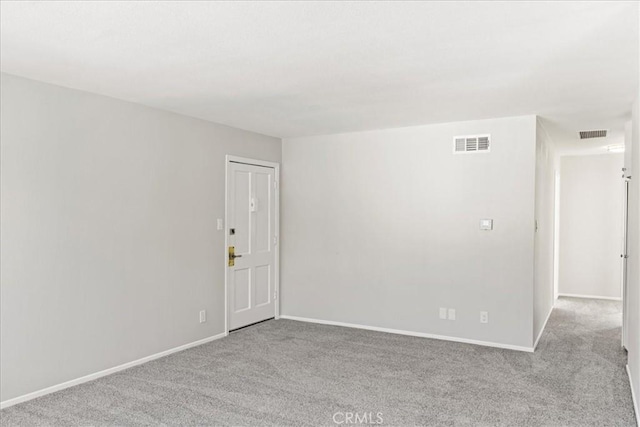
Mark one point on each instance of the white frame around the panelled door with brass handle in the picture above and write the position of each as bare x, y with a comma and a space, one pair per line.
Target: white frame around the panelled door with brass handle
276, 167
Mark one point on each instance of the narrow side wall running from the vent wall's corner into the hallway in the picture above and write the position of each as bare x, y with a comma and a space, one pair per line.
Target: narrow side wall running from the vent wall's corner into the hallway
543, 292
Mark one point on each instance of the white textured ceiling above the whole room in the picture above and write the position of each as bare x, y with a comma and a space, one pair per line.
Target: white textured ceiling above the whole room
308, 68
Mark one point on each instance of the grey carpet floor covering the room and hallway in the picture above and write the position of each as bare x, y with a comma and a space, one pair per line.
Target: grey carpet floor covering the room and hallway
284, 372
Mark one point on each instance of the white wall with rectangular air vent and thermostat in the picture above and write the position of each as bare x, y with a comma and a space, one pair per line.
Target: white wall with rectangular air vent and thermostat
381, 229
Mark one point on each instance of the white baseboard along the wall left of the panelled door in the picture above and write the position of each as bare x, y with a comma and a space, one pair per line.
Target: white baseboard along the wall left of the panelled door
96, 375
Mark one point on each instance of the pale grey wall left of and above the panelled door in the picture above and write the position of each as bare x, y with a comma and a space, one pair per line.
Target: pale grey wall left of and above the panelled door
109, 241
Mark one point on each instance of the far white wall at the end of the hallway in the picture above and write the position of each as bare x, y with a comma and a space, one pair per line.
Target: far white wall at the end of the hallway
591, 204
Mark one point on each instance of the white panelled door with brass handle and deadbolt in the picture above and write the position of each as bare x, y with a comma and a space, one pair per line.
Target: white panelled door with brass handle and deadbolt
251, 225
